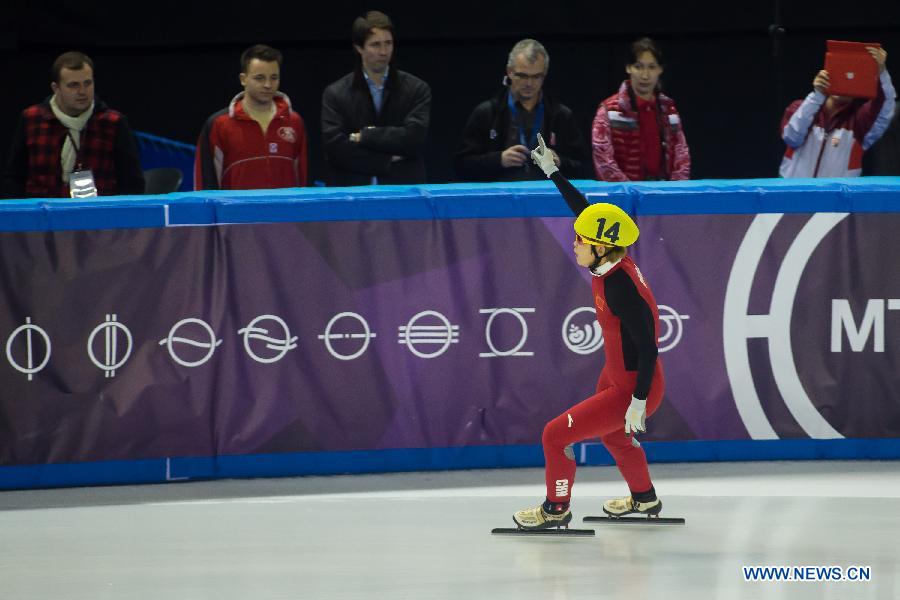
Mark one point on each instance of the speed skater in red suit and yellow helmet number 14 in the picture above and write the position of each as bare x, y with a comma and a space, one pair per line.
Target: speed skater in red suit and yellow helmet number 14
631, 383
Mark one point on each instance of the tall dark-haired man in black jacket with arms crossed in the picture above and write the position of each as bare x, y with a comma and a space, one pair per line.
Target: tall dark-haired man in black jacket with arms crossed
375, 118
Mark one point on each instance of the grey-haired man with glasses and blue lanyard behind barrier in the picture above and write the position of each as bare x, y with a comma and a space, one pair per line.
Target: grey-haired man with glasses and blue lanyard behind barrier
500, 132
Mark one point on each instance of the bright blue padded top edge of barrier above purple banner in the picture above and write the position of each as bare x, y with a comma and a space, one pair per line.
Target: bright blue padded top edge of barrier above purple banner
451, 201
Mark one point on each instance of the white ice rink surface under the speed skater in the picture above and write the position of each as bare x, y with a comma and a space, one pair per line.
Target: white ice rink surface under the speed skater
427, 536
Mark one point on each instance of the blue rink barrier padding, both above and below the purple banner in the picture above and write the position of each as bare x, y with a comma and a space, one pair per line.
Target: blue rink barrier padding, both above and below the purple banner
452, 201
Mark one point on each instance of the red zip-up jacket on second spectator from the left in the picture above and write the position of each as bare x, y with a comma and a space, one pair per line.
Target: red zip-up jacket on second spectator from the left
234, 154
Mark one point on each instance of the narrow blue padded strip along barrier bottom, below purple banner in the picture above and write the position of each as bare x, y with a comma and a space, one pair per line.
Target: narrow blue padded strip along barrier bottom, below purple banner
425, 459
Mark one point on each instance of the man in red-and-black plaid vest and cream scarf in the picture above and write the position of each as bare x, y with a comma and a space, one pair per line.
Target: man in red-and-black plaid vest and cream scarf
72, 131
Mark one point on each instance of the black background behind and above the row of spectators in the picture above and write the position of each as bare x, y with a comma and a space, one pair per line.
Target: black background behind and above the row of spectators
168, 65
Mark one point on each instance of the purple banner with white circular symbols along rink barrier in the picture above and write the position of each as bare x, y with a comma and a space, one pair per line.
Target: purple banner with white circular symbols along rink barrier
320, 336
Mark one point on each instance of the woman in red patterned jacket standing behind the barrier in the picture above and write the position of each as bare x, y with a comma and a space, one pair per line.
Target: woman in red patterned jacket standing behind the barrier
637, 133
